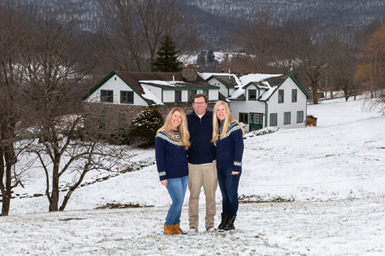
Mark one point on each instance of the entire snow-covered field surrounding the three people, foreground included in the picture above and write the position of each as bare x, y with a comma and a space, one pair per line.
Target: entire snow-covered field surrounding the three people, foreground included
330, 179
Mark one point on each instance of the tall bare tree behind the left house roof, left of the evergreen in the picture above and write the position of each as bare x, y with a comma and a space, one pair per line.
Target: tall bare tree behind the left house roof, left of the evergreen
134, 29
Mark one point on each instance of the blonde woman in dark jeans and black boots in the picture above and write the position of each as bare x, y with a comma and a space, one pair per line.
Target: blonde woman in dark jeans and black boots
228, 139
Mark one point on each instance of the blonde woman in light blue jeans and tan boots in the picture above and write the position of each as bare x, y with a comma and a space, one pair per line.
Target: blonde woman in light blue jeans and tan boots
171, 144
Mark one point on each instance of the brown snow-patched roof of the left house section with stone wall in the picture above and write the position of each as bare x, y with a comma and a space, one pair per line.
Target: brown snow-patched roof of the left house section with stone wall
164, 80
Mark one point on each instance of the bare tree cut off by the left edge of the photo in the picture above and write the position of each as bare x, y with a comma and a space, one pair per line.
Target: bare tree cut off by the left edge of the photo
13, 30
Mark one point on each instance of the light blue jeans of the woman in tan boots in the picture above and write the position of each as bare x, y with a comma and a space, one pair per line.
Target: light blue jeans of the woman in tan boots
176, 187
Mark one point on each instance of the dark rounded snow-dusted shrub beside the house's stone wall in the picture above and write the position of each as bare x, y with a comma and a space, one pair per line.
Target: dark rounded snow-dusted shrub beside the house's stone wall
143, 127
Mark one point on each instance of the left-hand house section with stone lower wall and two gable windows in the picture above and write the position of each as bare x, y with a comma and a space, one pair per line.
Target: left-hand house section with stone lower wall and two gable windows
116, 100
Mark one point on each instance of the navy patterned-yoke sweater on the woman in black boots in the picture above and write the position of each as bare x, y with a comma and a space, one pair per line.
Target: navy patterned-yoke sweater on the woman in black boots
230, 148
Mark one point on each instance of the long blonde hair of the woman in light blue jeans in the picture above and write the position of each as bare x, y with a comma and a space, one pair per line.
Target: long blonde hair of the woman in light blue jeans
182, 128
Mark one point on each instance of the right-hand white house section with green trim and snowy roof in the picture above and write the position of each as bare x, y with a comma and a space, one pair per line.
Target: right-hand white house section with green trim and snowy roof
263, 100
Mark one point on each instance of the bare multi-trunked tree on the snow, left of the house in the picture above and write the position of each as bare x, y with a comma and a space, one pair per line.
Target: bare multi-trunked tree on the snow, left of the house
54, 75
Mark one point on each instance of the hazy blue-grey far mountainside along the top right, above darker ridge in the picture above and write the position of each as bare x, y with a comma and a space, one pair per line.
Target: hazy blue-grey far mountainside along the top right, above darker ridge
343, 13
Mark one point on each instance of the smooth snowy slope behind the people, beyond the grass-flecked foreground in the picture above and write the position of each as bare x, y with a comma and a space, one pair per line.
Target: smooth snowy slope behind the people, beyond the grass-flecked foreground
340, 158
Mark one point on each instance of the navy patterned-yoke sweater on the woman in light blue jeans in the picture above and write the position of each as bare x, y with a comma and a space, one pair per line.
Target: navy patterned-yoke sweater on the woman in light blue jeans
171, 156
